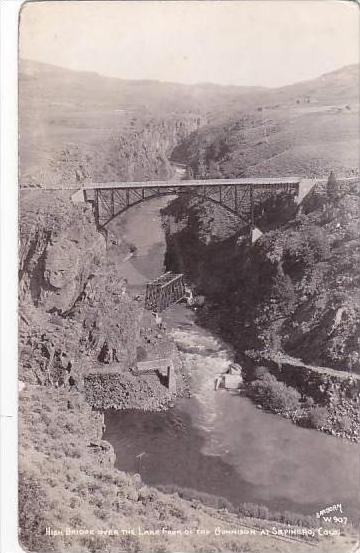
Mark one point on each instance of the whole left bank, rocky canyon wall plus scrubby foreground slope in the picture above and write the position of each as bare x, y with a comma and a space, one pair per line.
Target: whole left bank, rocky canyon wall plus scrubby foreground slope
72, 303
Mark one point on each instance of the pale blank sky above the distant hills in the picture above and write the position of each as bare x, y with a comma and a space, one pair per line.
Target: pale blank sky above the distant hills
256, 42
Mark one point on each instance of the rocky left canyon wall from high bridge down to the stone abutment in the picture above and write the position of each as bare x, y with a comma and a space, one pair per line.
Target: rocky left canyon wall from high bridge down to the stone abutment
76, 316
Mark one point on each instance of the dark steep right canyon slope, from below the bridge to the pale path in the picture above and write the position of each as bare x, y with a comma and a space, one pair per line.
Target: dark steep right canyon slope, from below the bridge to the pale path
295, 290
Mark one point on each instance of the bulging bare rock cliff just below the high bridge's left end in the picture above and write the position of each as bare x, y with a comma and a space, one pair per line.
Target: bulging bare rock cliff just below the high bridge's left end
59, 249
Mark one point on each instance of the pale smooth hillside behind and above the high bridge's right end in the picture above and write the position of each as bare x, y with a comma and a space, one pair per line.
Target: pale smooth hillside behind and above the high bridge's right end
304, 129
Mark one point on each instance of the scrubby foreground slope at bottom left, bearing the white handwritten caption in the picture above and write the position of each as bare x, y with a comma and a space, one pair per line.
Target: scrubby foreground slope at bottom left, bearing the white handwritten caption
72, 497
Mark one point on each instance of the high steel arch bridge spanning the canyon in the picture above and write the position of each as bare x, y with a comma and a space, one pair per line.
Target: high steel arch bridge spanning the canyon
238, 196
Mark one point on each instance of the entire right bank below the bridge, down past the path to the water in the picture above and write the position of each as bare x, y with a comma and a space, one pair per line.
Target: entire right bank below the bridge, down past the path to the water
283, 296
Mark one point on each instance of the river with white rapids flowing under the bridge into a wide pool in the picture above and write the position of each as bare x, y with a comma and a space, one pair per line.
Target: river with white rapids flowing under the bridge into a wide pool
219, 442
